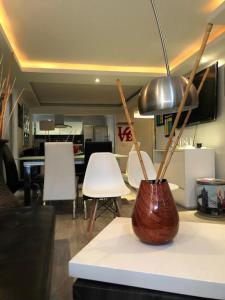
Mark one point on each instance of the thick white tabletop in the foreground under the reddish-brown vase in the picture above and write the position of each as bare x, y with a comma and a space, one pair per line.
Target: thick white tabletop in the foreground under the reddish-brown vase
194, 264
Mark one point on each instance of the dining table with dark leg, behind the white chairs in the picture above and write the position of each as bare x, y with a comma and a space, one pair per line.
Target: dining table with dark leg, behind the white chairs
37, 161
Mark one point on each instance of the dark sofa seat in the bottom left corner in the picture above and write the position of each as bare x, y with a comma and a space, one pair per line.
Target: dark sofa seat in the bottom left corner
26, 252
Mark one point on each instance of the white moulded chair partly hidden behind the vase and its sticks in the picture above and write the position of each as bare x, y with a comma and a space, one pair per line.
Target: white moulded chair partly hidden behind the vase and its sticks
134, 171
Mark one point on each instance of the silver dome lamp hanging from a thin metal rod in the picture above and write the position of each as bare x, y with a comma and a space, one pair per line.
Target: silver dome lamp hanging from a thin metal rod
163, 95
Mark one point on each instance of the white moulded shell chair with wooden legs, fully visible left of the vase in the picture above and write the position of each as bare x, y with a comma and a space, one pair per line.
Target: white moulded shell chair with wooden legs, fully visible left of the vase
103, 181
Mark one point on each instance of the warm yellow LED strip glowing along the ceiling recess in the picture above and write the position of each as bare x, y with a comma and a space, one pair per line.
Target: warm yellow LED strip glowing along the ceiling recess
40, 66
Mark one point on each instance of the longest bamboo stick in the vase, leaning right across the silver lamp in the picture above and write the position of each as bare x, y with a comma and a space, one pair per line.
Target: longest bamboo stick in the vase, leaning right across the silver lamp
196, 65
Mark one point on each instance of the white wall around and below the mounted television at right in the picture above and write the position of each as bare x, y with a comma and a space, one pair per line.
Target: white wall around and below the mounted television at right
210, 134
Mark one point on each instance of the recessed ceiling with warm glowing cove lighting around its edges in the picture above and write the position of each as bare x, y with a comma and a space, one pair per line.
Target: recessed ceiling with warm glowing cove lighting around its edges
62, 46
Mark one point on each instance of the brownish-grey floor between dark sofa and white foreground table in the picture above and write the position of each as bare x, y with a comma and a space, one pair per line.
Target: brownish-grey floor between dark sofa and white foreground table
71, 236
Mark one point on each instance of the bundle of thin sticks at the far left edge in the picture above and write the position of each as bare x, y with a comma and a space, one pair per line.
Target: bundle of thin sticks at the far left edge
7, 83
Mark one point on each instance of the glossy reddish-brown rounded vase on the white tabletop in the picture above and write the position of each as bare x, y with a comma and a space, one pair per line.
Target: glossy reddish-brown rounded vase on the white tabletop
155, 219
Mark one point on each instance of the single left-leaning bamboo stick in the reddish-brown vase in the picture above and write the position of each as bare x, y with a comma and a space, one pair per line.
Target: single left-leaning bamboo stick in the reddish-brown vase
123, 100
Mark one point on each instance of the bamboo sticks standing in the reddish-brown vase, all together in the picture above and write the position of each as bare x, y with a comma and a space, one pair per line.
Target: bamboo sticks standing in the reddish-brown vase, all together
172, 140
